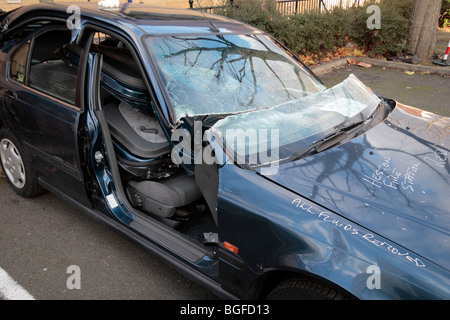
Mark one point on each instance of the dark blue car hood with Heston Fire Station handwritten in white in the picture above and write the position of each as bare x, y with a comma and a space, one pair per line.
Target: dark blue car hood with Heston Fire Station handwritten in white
392, 180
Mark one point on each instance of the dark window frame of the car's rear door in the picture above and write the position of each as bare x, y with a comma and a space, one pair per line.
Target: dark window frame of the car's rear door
54, 24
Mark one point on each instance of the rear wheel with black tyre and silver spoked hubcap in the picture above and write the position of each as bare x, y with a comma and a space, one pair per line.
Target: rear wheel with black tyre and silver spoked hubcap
16, 167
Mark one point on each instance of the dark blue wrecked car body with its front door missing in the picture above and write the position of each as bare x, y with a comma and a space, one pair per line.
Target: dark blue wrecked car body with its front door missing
367, 218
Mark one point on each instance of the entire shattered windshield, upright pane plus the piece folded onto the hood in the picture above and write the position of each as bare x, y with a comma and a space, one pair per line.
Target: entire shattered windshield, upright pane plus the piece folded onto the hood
271, 106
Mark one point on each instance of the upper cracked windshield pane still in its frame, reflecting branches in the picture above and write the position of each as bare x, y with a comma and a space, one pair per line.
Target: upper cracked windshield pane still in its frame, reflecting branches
228, 74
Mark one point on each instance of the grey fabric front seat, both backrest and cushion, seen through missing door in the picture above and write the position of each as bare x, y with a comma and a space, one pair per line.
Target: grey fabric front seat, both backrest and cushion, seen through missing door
156, 197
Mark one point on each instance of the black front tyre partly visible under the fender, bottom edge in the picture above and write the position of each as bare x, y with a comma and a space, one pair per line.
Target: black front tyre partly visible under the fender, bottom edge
304, 289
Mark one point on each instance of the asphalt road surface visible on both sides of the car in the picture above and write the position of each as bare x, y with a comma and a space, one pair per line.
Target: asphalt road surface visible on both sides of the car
41, 237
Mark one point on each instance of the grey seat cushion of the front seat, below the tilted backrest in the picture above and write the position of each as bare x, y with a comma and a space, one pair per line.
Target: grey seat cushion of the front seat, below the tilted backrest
163, 198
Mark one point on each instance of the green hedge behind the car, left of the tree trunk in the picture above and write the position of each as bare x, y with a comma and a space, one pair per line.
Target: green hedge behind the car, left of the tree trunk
316, 33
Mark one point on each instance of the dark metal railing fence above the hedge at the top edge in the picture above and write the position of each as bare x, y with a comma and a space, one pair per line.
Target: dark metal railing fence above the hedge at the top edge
290, 7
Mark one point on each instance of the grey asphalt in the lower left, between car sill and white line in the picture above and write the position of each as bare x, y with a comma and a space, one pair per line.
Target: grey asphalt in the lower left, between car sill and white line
40, 238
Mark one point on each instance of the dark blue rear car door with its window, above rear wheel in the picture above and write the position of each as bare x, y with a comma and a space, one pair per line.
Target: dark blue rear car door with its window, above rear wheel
40, 96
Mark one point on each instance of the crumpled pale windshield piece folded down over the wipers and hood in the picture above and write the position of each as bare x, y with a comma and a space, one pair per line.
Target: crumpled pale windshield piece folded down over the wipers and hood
276, 133
